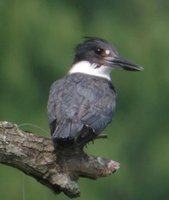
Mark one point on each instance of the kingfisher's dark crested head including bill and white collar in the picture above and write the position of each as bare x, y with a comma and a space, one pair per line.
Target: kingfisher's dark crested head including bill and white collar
96, 56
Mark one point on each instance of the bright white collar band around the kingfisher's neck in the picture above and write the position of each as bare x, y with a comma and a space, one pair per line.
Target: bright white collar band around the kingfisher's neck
86, 67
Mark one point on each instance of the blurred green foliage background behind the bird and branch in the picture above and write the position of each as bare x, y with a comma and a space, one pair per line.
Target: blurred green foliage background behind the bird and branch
37, 39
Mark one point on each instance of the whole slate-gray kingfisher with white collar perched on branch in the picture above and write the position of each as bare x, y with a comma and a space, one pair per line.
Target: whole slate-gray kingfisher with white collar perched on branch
82, 103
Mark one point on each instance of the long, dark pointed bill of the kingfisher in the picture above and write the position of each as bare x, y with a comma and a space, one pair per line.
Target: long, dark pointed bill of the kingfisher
124, 64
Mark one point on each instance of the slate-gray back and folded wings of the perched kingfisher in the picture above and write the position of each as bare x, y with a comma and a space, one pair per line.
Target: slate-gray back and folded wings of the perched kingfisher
72, 106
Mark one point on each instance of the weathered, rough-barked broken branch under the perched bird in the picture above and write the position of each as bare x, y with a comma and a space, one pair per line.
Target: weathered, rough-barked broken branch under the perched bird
35, 156
